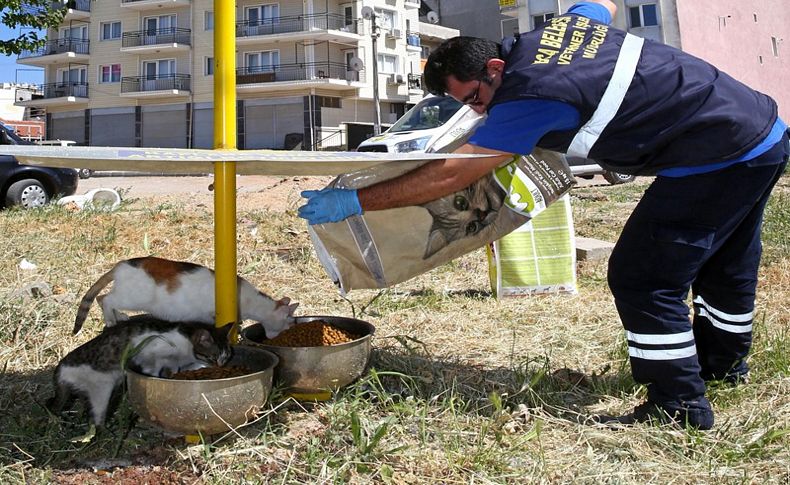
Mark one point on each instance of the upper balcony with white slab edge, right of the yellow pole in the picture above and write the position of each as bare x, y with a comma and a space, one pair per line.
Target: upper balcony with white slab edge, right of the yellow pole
325, 26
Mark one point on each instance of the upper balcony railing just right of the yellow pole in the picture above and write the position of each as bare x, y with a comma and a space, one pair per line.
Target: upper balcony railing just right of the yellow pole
297, 23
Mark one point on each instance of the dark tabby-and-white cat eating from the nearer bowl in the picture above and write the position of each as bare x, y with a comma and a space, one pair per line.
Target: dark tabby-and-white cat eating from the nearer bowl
93, 370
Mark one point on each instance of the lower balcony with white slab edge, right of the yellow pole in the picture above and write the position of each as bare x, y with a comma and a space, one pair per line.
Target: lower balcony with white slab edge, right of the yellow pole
326, 75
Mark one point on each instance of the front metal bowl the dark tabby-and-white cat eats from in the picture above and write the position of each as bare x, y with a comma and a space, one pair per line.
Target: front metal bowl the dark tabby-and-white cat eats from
205, 406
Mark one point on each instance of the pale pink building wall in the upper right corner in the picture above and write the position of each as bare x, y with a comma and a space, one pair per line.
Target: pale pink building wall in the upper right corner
736, 37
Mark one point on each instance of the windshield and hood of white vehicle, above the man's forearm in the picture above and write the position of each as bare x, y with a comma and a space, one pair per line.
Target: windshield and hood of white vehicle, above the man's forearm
420, 128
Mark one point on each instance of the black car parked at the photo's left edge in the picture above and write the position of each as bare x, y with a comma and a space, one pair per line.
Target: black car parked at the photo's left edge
26, 185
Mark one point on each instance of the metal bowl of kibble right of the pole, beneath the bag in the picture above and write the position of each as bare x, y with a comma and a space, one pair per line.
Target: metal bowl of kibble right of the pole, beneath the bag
315, 369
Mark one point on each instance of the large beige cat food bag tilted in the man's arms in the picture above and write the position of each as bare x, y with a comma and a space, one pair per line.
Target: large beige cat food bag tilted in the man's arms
381, 248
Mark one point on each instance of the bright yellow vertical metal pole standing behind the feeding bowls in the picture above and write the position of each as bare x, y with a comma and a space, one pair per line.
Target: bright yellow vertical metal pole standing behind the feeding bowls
225, 172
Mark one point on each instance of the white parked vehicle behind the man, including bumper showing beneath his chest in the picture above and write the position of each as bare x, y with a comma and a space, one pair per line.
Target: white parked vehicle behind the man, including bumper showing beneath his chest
433, 116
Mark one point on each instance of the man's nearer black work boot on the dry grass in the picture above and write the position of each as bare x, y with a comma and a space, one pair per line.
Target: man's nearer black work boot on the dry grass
694, 414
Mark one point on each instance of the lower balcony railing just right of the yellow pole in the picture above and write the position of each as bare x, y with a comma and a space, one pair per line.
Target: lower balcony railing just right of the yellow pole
297, 72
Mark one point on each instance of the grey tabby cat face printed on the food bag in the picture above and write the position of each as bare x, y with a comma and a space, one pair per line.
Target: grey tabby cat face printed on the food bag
462, 214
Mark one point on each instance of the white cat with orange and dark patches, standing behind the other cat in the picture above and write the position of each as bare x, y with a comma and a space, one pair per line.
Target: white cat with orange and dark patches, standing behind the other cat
178, 291
